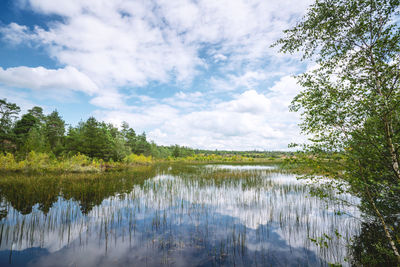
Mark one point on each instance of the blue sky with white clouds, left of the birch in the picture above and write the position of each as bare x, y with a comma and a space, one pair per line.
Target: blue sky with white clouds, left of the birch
194, 73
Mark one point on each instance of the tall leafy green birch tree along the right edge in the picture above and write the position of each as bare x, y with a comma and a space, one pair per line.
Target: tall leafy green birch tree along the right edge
350, 103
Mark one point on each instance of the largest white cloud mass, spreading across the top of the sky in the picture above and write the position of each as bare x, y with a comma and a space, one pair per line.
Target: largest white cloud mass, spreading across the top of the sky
132, 42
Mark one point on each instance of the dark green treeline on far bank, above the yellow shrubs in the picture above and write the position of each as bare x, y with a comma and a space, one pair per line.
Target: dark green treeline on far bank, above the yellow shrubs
36, 131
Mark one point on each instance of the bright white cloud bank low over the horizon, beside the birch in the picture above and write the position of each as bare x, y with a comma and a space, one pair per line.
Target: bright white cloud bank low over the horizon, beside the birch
250, 120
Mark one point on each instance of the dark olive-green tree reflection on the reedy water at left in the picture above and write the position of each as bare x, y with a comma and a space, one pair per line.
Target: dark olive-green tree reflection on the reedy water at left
24, 191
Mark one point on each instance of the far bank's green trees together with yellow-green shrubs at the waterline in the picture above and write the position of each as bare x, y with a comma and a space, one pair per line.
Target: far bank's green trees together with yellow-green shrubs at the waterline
42, 144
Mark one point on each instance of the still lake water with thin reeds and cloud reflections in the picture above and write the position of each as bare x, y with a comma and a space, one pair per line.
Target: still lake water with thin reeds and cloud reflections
174, 215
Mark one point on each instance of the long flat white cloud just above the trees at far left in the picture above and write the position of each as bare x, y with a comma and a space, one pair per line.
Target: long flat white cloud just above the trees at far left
41, 78
